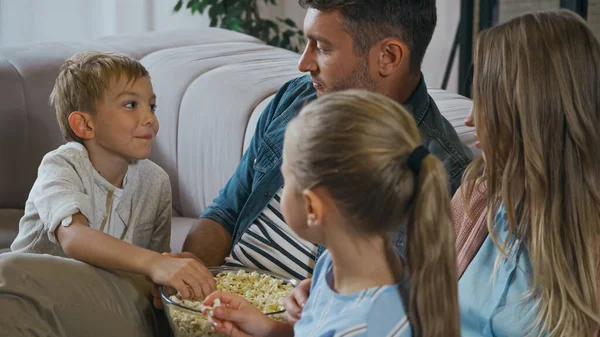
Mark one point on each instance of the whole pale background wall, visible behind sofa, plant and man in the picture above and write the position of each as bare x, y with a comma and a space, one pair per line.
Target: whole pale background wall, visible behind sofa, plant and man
26, 21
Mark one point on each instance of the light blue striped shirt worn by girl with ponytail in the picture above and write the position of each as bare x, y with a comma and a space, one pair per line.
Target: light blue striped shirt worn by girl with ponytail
373, 312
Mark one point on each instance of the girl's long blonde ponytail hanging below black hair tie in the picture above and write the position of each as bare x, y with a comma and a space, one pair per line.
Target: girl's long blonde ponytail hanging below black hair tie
431, 255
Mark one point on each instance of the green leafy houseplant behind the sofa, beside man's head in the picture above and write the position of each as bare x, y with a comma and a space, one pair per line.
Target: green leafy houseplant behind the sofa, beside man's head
243, 16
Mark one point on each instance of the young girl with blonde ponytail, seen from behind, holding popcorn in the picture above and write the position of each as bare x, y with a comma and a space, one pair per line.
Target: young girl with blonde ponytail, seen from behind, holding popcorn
355, 173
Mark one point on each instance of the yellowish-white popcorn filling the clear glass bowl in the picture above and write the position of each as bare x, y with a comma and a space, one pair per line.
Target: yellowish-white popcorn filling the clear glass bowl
261, 290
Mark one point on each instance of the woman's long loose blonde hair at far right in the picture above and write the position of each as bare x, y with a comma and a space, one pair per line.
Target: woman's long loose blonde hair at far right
537, 110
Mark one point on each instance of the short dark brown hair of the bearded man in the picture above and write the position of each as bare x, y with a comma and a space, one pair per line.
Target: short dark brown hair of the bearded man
370, 21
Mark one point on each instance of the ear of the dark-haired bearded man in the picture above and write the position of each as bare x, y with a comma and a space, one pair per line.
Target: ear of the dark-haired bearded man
393, 55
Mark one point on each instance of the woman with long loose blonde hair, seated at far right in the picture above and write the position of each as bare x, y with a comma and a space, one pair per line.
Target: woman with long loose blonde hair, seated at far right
526, 244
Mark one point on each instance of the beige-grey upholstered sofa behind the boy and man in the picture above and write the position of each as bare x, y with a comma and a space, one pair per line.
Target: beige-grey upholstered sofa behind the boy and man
211, 85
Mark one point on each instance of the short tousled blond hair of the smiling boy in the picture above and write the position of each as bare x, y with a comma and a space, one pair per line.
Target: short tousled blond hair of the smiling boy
83, 80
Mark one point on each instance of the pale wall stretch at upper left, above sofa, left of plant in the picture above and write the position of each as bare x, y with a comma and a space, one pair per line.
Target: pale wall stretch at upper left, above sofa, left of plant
26, 21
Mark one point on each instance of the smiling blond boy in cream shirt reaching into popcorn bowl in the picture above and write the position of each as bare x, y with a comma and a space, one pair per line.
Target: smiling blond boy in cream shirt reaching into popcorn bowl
98, 200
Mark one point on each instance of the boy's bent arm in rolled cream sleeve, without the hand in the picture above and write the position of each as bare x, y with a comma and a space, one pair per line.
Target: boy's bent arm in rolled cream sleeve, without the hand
62, 194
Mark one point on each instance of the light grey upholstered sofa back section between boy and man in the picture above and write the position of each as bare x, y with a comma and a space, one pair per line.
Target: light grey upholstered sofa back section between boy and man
203, 114
